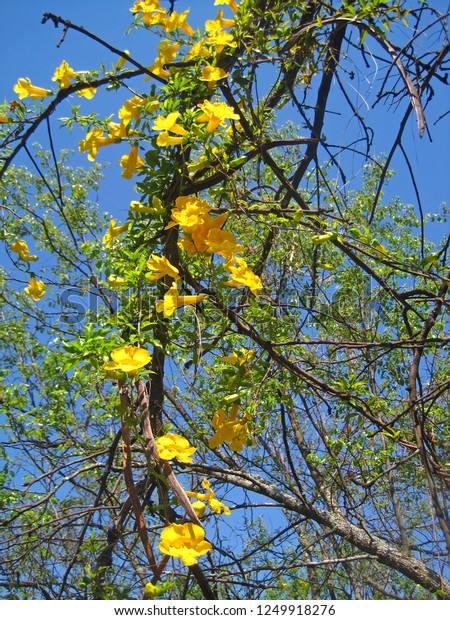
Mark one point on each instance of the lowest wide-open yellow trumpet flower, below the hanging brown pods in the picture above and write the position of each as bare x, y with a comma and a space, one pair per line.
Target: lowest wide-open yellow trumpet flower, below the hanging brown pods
185, 541
